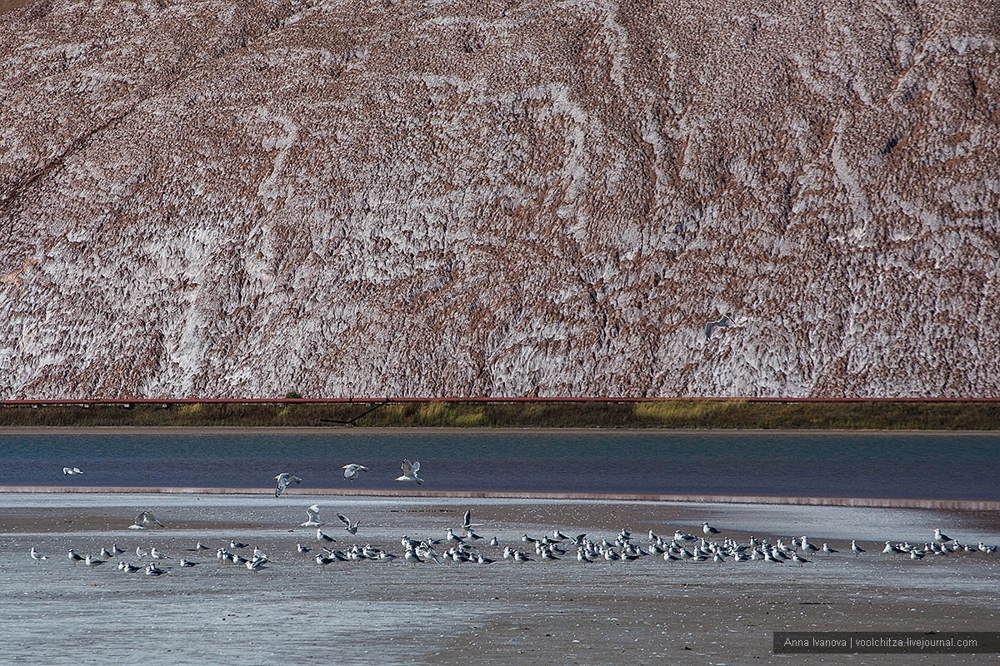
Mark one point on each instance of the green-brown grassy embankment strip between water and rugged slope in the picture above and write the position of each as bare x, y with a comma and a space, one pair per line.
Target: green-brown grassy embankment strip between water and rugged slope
771, 414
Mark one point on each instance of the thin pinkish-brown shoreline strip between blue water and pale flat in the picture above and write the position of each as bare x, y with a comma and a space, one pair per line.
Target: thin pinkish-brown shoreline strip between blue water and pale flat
870, 502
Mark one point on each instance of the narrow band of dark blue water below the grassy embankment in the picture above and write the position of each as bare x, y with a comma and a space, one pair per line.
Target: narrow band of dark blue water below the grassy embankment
824, 464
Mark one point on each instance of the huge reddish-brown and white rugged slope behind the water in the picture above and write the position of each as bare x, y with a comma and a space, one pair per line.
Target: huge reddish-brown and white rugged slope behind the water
499, 198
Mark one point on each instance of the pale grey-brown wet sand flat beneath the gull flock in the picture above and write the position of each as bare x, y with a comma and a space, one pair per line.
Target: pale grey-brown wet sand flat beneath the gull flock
565, 611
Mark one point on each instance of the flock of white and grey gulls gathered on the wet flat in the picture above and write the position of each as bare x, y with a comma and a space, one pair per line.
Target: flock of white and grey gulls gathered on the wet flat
462, 544
